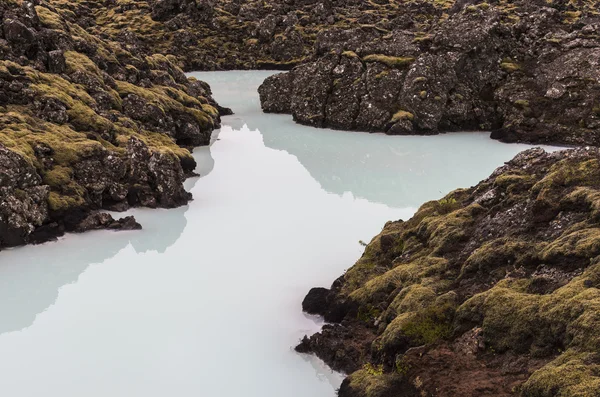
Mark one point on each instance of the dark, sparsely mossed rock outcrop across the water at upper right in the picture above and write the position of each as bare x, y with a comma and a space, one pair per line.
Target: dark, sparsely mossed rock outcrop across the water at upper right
528, 71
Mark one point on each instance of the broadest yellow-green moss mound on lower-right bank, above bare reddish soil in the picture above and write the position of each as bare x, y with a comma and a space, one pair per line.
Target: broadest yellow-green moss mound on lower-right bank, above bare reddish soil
542, 325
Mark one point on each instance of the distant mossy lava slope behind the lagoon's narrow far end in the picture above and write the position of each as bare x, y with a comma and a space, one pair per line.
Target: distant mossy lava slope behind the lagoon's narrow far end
229, 34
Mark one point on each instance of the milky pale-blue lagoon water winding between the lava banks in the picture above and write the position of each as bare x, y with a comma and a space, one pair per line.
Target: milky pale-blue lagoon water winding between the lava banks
205, 301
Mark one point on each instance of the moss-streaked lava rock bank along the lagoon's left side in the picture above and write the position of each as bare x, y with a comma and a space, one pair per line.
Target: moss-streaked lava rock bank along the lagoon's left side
89, 123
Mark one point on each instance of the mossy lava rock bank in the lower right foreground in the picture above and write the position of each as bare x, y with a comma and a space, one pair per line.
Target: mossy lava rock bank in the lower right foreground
492, 290
